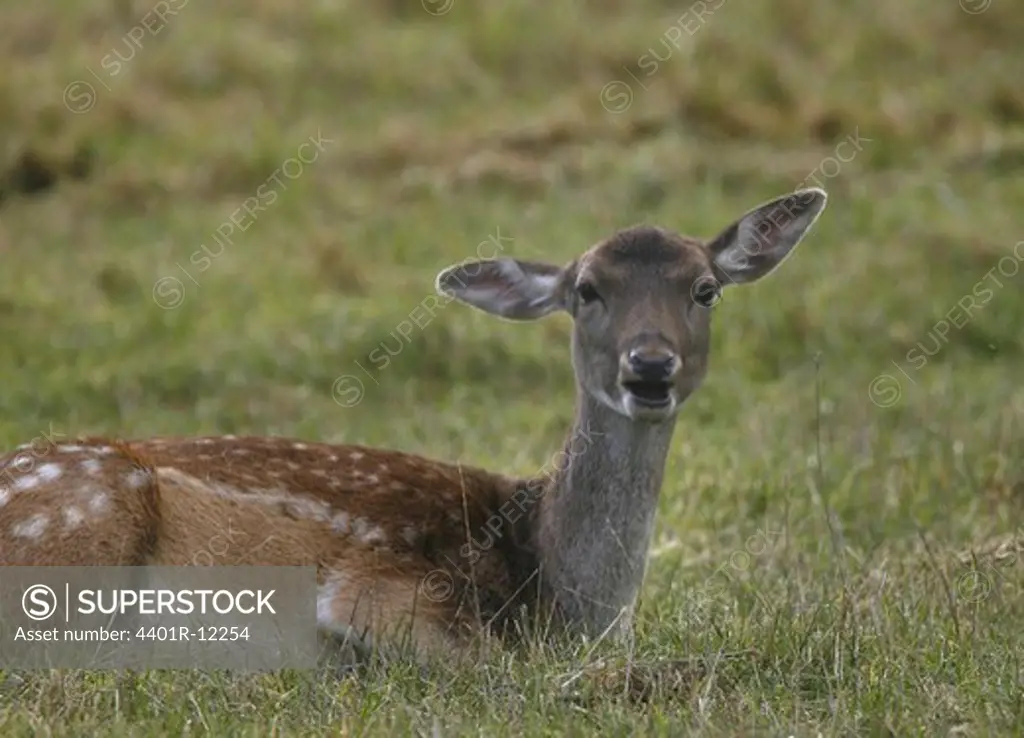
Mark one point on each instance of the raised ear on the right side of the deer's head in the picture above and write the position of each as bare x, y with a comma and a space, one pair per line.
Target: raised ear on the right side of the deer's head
761, 240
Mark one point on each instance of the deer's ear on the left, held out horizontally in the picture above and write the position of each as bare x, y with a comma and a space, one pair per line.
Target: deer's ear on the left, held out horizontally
507, 288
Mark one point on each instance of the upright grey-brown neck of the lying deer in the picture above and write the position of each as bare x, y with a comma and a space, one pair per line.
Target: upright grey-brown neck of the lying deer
598, 515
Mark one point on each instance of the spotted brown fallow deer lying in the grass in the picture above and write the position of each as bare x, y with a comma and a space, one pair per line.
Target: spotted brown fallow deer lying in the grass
417, 551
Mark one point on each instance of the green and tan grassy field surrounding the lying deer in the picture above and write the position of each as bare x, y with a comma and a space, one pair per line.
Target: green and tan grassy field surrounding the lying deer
839, 541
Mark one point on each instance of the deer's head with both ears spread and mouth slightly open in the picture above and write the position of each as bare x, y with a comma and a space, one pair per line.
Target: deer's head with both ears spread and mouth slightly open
641, 300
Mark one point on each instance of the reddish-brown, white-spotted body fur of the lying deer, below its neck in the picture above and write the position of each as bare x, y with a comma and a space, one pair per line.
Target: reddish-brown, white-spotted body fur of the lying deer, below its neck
272, 501
